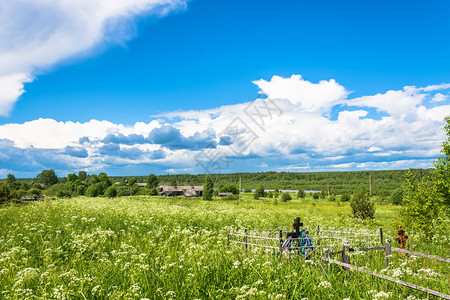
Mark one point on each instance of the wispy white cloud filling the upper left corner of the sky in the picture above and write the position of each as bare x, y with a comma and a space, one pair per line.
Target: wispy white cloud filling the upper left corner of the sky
37, 34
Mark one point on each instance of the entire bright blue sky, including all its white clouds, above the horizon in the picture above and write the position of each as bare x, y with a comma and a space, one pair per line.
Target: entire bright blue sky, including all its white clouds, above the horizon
165, 78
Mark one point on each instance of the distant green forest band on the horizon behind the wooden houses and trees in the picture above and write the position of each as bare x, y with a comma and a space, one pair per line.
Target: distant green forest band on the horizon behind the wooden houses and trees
383, 182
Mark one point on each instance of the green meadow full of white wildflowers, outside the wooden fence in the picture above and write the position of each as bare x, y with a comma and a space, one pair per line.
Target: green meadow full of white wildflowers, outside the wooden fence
174, 248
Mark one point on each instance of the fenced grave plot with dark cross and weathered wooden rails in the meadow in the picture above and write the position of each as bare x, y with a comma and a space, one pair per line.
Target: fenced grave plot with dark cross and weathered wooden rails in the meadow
360, 251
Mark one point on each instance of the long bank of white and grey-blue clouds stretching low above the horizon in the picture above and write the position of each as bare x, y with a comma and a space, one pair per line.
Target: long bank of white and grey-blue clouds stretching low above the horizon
298, 126
